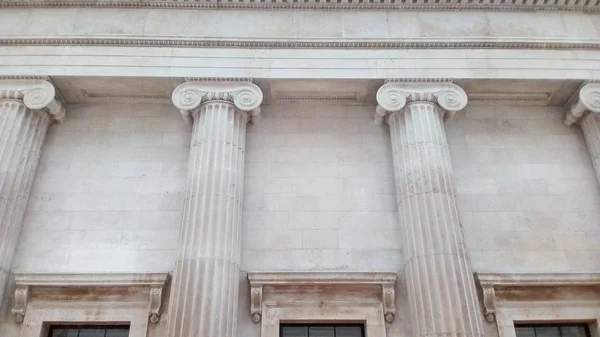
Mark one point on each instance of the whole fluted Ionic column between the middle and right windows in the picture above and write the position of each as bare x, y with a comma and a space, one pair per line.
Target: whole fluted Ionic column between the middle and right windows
440, 282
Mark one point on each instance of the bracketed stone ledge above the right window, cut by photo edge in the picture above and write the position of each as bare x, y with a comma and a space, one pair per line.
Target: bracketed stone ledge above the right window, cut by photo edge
491, 283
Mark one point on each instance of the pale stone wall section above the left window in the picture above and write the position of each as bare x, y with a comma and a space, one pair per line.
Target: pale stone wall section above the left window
108, 192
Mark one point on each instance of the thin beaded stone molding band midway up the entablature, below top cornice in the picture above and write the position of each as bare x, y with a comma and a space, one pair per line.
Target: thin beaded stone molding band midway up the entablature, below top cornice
421, 43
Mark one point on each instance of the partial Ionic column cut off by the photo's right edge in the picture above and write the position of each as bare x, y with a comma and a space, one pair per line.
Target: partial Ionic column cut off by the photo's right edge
585, 111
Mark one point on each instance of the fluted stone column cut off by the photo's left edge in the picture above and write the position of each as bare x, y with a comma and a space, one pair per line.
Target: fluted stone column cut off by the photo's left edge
27, 108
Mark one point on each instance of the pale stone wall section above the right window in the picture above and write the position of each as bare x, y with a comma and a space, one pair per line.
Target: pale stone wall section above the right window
529, 199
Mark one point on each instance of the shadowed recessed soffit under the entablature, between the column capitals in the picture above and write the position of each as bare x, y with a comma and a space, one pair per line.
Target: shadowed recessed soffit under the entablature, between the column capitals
308, 91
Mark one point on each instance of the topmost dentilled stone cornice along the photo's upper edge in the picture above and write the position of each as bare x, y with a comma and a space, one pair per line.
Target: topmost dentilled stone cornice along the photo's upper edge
420, 5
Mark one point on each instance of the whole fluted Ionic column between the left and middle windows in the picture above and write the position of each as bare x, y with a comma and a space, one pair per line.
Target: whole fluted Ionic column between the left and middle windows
204, 294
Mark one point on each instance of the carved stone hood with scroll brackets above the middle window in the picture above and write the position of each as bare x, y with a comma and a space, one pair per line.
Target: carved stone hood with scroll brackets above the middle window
272, 282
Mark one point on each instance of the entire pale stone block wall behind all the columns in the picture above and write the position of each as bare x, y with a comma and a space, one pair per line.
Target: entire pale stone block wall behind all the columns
318, 194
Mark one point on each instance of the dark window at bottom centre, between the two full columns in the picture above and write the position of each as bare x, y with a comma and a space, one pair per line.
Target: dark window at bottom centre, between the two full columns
322, 330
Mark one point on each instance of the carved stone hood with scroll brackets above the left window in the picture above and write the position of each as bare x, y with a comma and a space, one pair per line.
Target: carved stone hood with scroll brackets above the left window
63, 283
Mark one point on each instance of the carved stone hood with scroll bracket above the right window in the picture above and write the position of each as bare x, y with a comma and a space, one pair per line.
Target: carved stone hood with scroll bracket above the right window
529, 287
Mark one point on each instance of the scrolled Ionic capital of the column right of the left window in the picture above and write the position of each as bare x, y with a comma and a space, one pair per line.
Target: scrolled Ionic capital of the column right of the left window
246, 96
